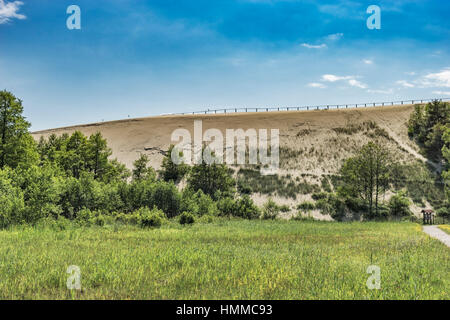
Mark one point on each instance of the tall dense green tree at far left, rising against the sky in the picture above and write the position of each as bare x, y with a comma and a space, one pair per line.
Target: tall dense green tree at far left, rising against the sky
16, 144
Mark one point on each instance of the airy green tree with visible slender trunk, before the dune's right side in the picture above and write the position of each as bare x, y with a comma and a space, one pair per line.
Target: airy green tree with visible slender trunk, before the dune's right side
367, 175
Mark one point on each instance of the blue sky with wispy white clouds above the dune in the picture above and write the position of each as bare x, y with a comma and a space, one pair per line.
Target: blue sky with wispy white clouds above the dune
138, 58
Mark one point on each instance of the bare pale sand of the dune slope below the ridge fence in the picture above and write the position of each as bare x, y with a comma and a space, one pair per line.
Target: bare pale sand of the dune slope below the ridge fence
310, 145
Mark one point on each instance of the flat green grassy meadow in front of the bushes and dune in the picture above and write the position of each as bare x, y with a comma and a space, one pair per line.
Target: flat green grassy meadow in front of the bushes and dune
225, 260
